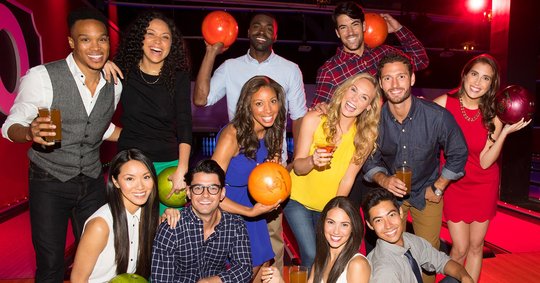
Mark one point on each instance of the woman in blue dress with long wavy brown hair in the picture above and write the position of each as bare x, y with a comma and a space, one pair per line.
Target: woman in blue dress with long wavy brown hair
254, 136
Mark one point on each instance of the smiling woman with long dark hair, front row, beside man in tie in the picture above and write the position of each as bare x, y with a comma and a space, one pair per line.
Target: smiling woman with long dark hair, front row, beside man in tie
339, 235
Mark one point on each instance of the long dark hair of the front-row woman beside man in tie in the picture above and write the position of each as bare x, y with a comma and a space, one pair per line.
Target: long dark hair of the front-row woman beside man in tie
322, 254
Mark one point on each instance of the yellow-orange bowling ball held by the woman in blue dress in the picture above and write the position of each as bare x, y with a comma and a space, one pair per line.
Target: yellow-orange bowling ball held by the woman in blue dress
269, 182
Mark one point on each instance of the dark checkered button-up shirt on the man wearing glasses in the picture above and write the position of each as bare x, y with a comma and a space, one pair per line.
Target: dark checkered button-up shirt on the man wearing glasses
182, 255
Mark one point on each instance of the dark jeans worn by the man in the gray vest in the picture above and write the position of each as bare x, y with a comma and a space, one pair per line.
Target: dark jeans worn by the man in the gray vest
52, 203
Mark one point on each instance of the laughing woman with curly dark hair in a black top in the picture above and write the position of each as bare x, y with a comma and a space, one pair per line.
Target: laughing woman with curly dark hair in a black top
155, 100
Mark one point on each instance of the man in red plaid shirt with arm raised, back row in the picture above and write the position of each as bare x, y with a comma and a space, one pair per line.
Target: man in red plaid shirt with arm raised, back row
354, 56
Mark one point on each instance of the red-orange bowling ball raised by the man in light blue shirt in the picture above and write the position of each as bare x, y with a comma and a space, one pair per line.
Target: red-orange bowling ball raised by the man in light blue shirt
220, 26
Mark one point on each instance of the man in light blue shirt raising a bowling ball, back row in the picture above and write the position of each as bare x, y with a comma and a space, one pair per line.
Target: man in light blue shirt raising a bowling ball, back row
230, 76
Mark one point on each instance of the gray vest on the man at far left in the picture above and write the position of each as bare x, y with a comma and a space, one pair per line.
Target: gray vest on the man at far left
81, 134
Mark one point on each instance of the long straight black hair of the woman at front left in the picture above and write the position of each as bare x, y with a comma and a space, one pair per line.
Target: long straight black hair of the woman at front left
149, 215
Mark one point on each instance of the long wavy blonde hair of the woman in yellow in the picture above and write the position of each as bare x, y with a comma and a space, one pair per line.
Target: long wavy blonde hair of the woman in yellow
366, 123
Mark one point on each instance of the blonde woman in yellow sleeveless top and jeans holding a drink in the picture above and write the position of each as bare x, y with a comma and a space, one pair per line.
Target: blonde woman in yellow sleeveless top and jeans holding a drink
350, 126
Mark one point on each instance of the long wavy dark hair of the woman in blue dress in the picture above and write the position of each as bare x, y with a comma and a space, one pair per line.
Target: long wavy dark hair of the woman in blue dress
243, 119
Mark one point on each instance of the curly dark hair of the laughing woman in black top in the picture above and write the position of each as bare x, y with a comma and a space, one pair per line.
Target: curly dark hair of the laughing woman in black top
130, 51
